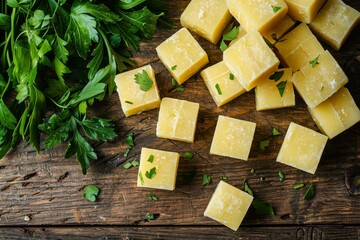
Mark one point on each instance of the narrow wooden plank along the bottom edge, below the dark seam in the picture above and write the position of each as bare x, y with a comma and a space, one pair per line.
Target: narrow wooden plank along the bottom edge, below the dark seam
210, 232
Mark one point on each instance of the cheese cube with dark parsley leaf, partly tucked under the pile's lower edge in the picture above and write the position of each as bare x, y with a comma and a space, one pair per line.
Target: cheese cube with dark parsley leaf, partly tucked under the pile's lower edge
270, 93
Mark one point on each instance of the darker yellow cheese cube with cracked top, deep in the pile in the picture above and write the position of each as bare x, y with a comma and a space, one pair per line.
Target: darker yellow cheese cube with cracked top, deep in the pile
298, 47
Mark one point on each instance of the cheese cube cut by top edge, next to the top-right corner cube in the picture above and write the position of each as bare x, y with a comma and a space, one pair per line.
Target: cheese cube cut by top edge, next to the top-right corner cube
304, 10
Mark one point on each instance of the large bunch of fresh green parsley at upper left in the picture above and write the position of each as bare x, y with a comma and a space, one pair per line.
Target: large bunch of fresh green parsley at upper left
56, 58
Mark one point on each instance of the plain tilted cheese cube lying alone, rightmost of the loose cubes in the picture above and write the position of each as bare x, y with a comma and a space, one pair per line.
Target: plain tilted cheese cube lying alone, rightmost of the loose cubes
302, 148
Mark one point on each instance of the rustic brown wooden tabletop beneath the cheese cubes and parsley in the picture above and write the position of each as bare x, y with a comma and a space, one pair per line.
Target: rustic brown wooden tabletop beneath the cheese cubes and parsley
48, 188
